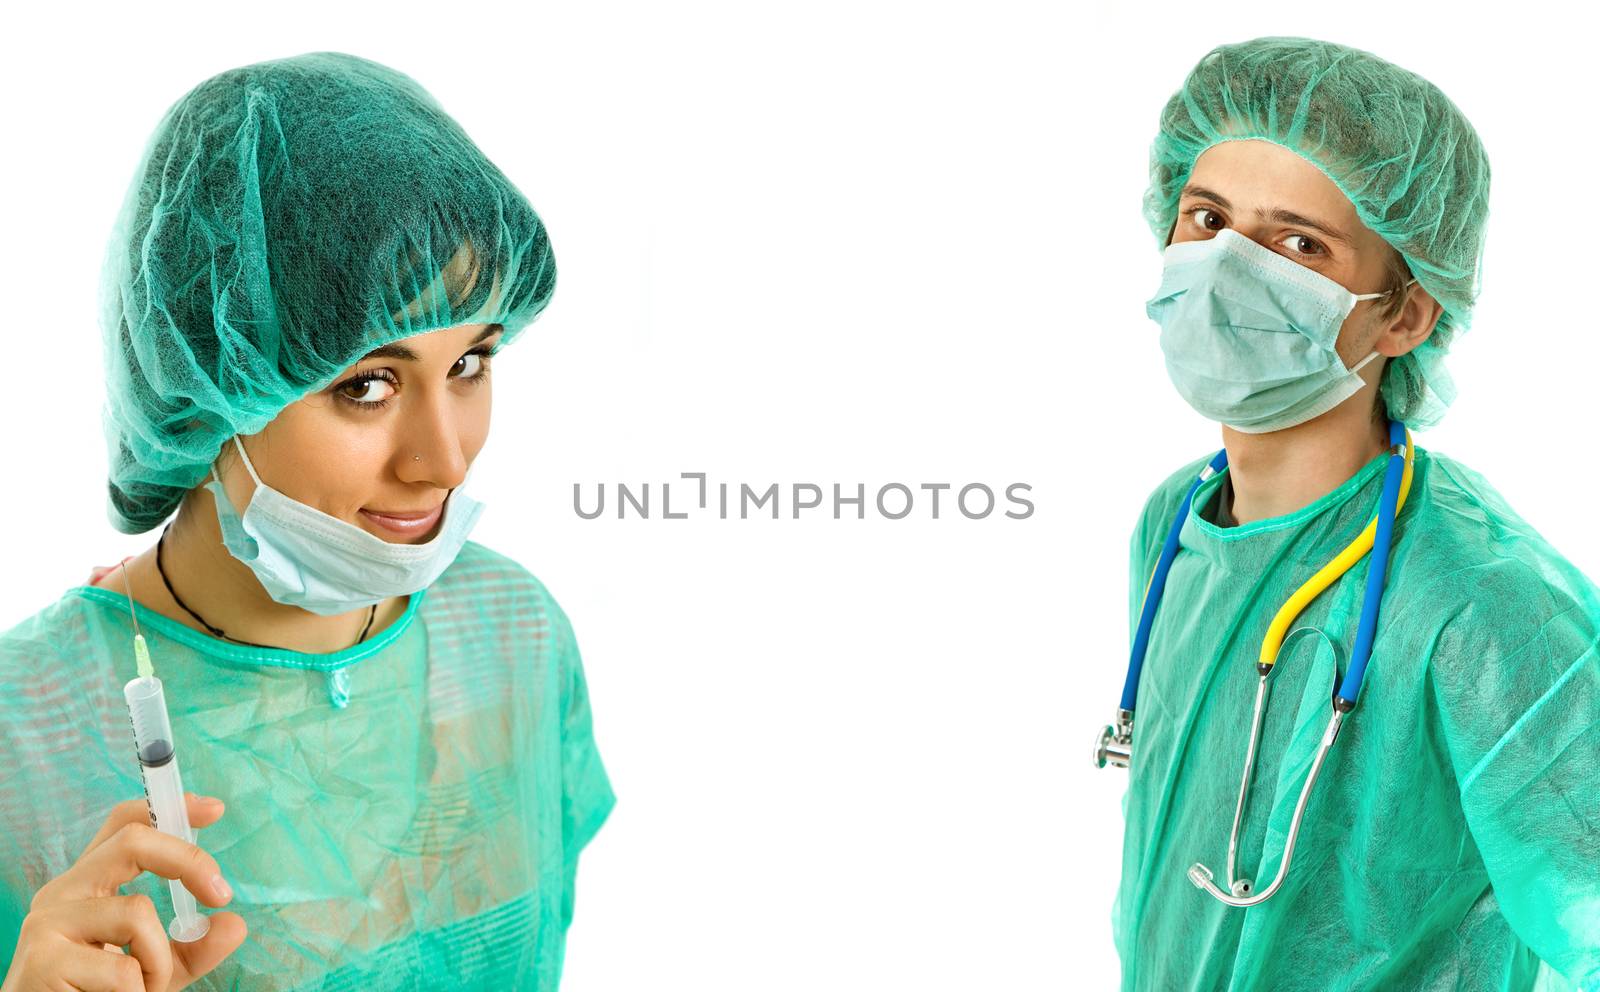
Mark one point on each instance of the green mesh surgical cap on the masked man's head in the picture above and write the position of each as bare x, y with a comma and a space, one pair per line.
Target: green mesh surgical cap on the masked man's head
1390, 140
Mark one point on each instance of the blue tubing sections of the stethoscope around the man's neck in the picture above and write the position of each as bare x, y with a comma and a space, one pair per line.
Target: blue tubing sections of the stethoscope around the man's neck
1377, 574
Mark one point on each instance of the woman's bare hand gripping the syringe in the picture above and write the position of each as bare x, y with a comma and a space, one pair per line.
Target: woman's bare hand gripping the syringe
78, 924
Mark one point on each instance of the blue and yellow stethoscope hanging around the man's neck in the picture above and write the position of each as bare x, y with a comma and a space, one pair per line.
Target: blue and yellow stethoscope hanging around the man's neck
1114, 743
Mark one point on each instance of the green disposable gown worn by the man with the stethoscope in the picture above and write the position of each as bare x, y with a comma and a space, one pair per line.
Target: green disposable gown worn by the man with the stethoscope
1454, 834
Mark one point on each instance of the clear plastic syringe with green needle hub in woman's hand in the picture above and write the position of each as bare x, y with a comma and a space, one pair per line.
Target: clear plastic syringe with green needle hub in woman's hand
164, 791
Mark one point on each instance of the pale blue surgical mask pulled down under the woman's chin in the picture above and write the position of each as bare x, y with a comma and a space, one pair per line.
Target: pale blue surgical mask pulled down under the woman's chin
318, 562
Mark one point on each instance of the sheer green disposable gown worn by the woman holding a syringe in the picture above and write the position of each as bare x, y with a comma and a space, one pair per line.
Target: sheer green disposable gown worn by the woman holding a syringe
406, 814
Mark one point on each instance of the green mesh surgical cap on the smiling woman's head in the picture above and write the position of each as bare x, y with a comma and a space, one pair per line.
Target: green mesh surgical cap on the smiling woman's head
286, 220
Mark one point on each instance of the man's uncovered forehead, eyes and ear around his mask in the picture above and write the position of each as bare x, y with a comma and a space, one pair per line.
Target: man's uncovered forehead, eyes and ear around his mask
1282, 202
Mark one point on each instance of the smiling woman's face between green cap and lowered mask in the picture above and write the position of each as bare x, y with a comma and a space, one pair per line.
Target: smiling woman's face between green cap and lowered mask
351, 450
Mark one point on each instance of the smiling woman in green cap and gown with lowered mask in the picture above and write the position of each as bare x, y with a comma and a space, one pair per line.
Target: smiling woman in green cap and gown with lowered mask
303, 297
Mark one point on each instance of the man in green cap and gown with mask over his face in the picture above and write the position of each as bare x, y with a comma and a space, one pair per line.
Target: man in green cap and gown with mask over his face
1322, 215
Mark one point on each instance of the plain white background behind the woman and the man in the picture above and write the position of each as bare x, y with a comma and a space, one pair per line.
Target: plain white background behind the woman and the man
825, 242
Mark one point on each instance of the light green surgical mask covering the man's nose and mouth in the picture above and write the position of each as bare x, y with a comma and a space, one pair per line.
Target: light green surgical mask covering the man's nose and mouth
1250, 335
